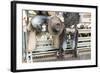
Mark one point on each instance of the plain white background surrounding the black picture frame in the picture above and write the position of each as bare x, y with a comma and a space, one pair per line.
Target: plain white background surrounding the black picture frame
5, 36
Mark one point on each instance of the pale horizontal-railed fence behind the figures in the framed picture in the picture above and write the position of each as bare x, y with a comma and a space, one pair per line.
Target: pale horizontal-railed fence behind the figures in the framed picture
83, 46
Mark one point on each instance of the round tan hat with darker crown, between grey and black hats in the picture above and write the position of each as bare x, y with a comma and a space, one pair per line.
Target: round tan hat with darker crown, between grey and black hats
55, 25
